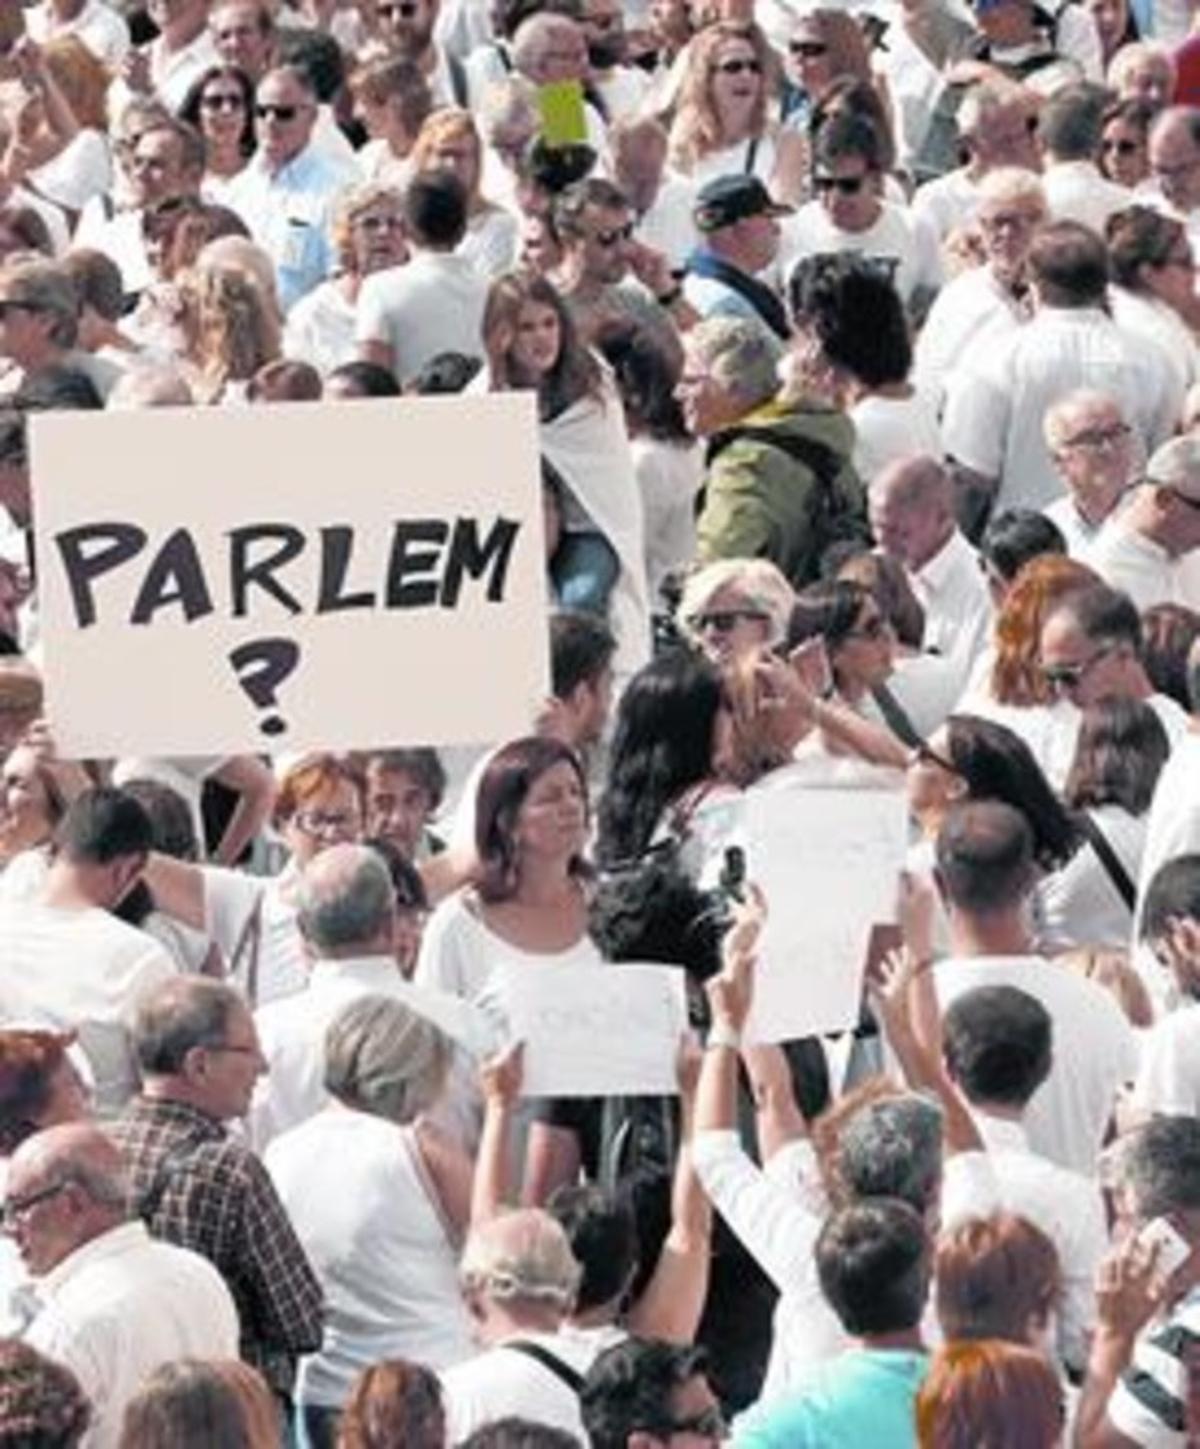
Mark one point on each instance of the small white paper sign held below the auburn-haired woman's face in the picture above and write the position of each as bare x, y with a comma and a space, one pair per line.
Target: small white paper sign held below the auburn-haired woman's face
596, 1031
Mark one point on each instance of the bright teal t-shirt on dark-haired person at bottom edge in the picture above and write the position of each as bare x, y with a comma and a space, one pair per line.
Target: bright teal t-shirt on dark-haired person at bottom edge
866, 1398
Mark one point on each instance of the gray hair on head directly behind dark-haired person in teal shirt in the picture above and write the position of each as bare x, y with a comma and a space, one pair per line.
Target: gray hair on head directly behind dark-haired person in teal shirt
893, 1148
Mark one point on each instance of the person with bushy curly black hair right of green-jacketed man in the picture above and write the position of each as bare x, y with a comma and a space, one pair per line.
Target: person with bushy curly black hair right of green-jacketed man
851, 328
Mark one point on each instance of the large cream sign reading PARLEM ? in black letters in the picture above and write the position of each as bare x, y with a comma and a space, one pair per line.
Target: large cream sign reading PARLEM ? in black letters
291, 577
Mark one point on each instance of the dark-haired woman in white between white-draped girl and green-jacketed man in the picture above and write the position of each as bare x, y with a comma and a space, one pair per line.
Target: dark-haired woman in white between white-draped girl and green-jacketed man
667, 460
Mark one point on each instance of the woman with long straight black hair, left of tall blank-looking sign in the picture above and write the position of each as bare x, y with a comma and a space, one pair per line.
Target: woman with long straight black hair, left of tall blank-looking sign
670, 748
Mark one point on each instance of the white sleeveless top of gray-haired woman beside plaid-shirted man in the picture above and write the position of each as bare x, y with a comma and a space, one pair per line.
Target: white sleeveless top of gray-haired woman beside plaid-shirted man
379, 1245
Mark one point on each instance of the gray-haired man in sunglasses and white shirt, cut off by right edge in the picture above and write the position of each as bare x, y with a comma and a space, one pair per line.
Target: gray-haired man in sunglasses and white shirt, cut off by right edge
1151, 548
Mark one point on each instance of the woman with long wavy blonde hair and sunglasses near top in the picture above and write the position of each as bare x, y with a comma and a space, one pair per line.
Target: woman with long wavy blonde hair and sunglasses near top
724, 121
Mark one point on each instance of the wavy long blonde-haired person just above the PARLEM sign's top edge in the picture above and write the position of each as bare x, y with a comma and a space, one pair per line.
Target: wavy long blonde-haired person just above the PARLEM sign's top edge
230, 333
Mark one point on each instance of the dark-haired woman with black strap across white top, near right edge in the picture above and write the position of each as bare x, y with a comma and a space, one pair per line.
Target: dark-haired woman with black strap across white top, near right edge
1121, 753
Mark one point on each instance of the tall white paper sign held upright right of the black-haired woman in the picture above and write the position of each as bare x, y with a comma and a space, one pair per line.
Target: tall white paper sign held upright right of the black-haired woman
828, 863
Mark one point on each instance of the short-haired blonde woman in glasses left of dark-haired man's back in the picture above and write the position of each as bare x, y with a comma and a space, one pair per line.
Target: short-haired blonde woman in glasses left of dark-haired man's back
369, 237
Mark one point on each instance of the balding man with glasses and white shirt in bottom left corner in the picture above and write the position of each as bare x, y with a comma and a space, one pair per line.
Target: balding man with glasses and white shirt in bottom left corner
114, 1303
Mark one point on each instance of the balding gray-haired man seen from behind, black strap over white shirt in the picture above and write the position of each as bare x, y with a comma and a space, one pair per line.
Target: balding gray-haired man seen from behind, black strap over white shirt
520, 1280
